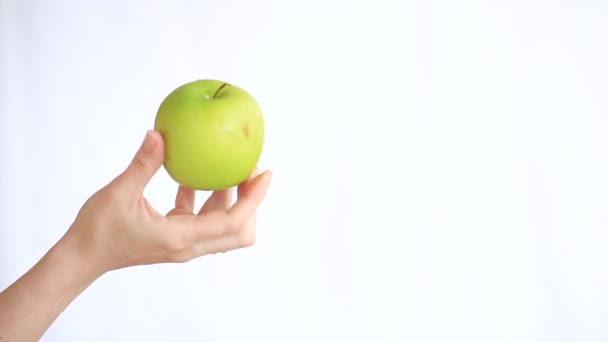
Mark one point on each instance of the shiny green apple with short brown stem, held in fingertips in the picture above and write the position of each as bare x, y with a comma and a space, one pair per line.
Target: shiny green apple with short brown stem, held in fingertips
213, 139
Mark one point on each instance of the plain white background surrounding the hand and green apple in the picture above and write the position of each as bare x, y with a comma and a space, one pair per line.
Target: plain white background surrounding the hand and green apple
440, 166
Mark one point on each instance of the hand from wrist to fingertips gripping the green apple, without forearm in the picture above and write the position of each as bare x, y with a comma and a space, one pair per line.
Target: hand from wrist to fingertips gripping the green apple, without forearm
118, 228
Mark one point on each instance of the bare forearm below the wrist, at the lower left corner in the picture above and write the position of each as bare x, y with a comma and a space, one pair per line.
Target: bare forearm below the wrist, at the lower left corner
30, 305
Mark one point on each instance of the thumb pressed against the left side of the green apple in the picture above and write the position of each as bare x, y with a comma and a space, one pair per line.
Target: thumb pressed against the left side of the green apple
148, 159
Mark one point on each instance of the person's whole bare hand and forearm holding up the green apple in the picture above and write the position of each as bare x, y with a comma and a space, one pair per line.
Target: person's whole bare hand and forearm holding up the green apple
117, 228
